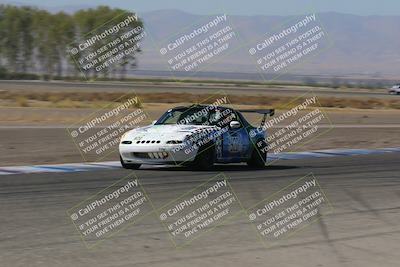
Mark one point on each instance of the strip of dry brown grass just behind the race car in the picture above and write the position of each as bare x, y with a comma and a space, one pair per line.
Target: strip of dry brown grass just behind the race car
96, 99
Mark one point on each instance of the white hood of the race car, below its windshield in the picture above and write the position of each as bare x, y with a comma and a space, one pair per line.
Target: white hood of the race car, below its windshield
164, 132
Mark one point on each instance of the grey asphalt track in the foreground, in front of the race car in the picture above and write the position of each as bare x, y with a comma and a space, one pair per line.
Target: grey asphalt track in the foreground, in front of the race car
362, 230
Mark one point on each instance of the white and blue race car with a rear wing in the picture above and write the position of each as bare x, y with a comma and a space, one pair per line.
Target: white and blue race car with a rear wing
197, 136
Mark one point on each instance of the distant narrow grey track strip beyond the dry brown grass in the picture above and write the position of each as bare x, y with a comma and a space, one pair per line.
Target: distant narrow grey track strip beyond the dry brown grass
188, 88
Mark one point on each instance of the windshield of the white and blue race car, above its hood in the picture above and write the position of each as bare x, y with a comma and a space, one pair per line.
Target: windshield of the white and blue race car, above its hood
196, 116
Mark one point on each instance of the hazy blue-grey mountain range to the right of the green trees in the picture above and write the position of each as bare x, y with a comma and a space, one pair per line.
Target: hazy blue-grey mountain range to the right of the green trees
360, 45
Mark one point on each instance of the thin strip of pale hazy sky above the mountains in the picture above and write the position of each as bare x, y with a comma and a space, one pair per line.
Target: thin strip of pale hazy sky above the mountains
249, 7
